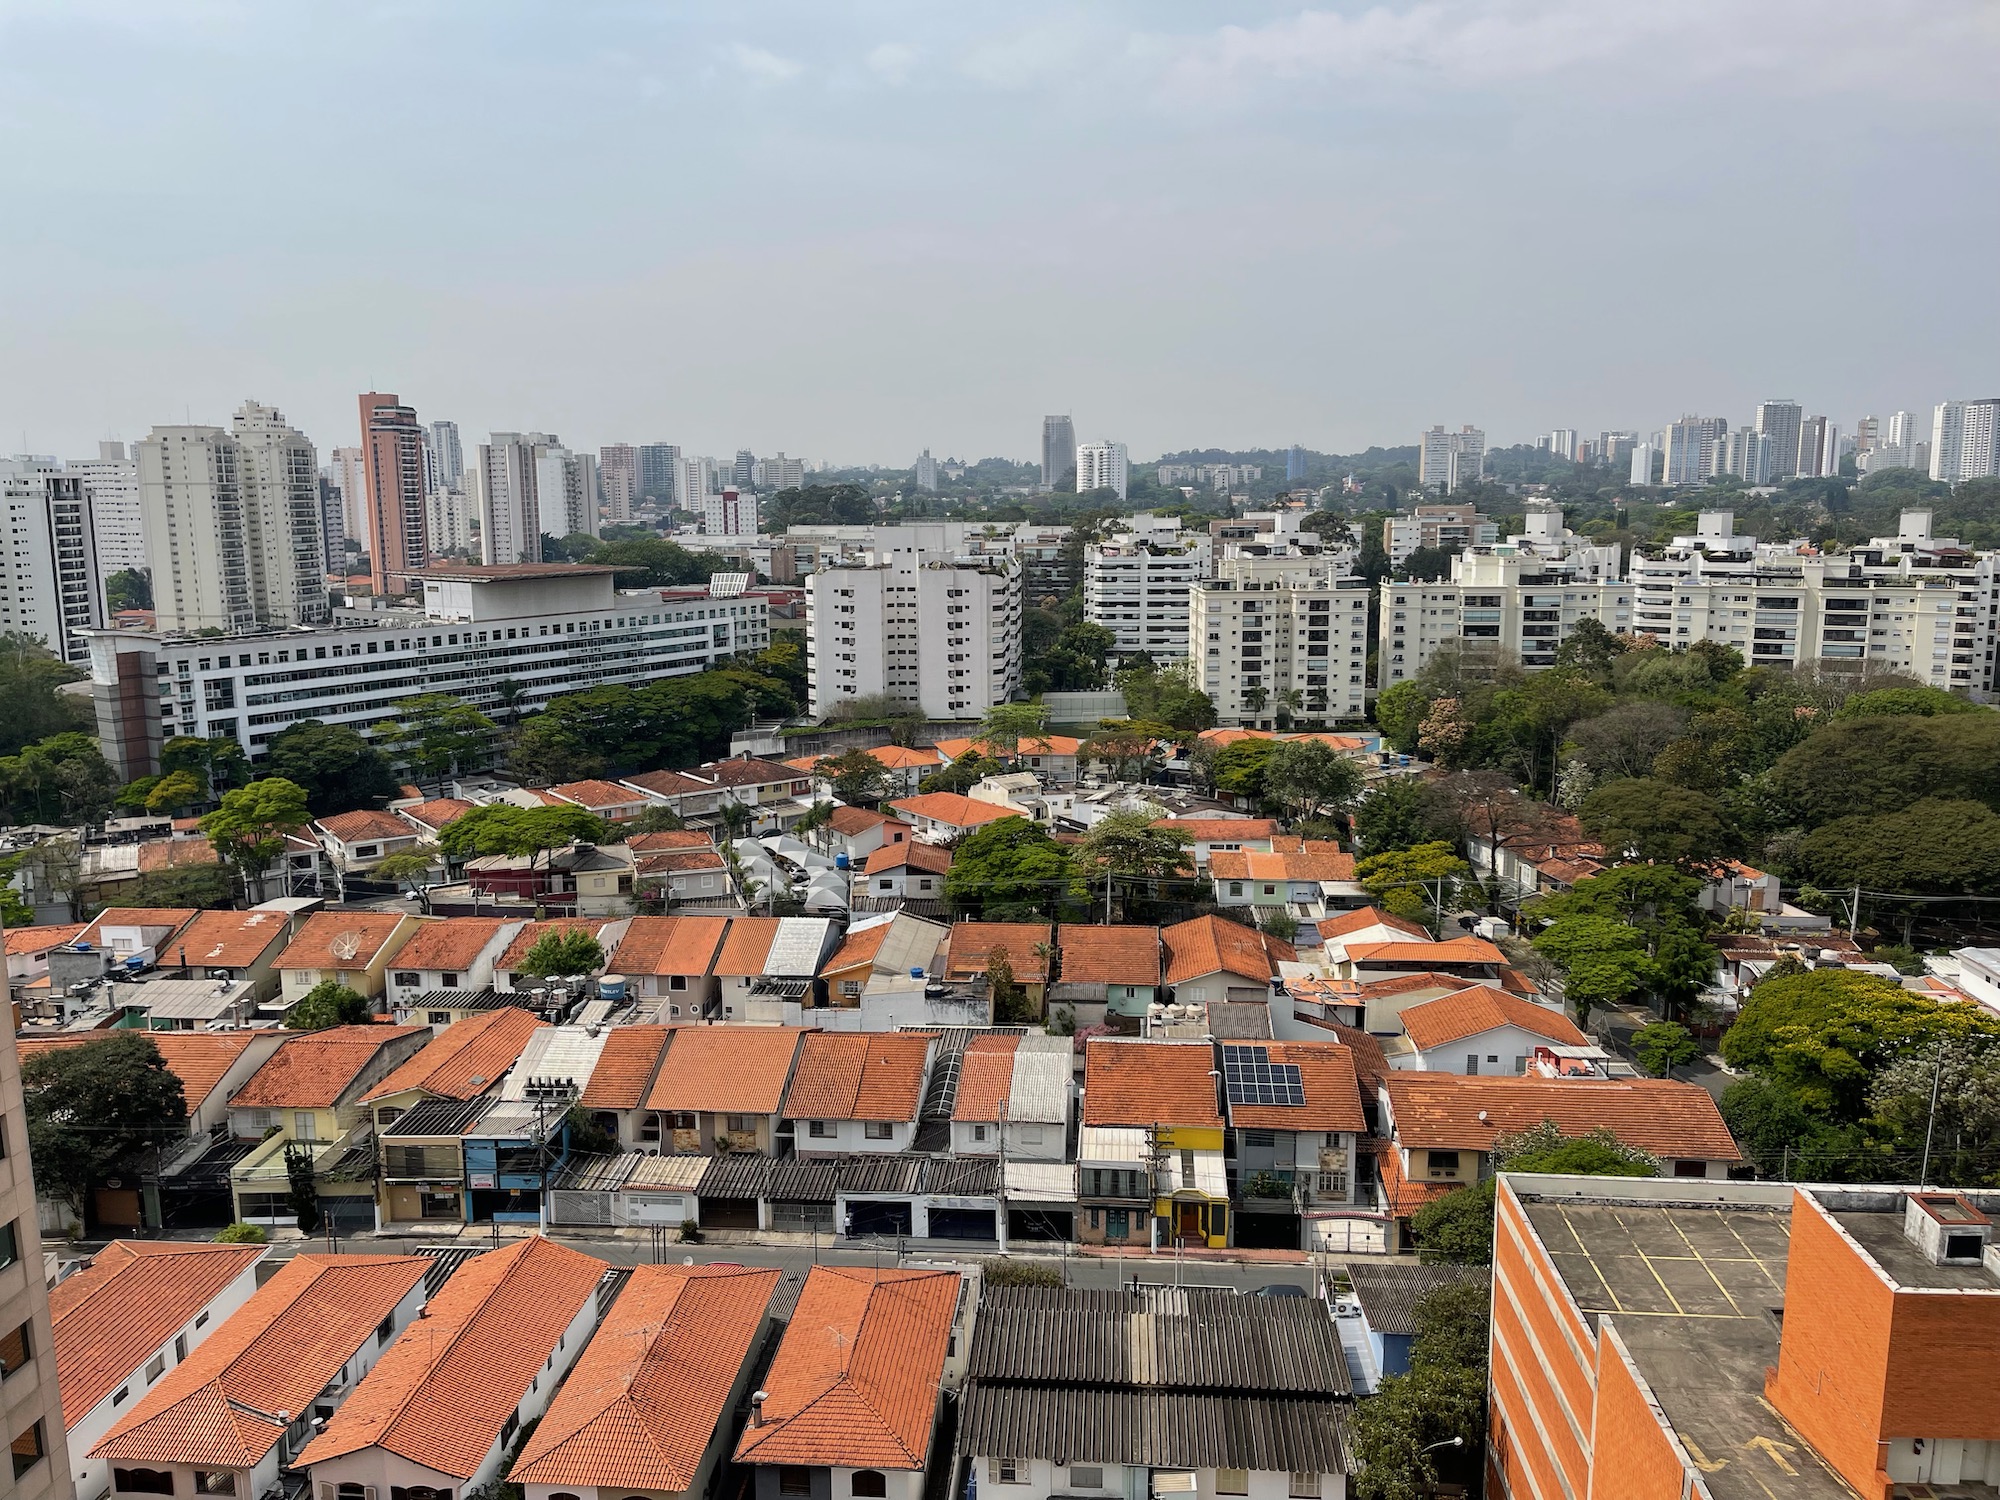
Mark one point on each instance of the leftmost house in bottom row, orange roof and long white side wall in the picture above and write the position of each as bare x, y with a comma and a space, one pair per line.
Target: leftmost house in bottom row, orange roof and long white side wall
131, 1315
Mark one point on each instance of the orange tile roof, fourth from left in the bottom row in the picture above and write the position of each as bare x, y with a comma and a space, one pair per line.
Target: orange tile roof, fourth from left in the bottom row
649, 1395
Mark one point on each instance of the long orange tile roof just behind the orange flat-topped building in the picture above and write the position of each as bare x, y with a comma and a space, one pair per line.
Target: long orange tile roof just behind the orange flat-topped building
1655, 1115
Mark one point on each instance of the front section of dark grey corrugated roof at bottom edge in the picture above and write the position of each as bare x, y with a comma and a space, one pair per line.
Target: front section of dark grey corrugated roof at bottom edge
1155, 1429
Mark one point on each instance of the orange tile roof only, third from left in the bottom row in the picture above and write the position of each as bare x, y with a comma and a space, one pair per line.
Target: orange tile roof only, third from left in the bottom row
441, 1395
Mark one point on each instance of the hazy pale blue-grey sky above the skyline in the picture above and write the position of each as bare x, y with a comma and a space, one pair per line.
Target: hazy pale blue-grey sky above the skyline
851, 231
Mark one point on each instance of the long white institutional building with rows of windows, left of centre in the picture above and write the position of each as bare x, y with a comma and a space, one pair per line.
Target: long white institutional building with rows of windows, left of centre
551, 629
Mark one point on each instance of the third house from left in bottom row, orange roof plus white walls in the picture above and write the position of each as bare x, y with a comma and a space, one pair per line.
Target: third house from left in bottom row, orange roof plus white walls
443, 1407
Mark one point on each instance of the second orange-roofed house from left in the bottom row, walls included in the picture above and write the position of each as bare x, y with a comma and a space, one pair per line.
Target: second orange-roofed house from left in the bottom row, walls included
243, 1407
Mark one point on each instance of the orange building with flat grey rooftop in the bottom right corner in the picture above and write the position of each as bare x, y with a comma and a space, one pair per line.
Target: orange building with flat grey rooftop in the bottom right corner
1751, 1341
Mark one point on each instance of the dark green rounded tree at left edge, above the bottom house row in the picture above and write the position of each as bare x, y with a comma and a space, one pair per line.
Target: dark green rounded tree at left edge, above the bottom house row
97, 1111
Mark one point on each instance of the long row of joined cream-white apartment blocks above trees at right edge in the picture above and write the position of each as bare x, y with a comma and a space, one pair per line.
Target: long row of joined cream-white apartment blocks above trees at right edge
1909, 603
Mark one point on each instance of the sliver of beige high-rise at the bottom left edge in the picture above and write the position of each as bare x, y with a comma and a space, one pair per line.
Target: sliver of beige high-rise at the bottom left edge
31, 1405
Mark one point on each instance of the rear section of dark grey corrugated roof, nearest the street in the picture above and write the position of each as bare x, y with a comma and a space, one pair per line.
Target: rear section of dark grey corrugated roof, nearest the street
1161, 1339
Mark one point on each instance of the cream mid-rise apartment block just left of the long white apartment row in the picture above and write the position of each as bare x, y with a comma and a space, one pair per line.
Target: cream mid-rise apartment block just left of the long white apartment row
1283, 625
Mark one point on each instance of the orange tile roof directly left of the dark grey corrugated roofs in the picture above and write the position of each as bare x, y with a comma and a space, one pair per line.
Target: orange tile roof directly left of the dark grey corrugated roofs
857, 1377
